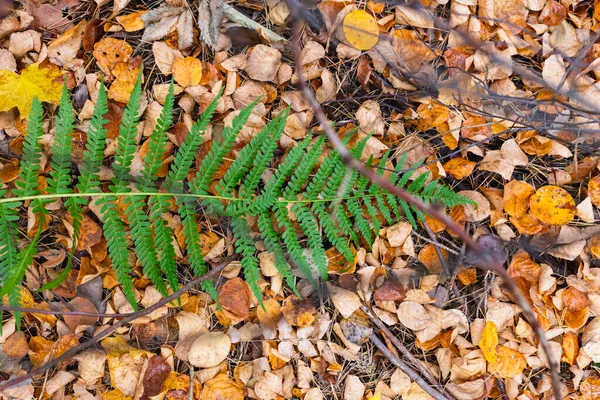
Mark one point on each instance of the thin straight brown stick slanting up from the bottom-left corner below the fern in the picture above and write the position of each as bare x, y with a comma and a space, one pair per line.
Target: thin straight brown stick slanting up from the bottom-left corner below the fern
72, 352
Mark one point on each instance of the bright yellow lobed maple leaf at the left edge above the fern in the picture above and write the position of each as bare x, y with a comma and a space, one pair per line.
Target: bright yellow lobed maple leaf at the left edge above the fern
34, 81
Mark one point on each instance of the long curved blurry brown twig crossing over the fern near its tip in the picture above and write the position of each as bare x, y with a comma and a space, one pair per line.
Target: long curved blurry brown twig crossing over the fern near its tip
488, 261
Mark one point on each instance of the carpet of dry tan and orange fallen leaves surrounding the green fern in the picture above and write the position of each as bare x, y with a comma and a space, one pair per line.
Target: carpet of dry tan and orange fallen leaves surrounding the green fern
533, 185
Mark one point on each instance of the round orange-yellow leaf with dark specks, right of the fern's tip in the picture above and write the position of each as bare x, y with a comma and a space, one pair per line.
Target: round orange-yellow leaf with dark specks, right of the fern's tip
552, 205
